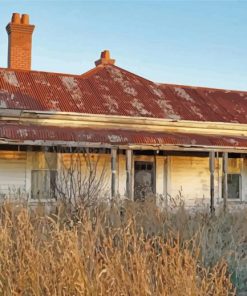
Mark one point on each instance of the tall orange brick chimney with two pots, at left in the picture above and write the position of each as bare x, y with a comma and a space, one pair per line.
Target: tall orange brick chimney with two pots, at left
20, 42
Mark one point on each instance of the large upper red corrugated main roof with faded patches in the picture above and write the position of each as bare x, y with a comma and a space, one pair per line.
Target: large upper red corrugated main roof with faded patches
114, 91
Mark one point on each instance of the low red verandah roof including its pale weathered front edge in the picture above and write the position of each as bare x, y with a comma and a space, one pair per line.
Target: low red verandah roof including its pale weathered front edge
14, 133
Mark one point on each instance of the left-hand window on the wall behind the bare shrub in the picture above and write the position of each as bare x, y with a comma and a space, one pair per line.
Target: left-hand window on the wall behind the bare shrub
43, 184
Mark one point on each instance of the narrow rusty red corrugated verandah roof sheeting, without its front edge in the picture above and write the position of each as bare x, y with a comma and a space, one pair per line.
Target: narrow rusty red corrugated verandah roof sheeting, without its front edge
20, 133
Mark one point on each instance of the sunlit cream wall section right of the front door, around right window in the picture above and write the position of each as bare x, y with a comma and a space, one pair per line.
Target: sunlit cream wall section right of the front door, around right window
191, 177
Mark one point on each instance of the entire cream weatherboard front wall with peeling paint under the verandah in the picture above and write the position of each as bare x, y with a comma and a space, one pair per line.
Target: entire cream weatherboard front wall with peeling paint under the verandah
190, 175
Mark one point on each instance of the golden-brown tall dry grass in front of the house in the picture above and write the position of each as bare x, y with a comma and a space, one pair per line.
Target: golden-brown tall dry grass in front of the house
133, 249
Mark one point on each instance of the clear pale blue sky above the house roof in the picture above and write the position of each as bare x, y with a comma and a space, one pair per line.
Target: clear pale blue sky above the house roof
202, 43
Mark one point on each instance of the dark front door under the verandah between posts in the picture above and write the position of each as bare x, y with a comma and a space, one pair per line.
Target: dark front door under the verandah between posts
144, 179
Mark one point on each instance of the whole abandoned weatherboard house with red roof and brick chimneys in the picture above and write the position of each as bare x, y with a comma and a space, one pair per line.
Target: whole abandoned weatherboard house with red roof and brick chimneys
133, 137
